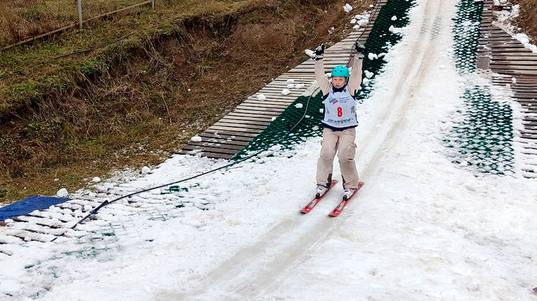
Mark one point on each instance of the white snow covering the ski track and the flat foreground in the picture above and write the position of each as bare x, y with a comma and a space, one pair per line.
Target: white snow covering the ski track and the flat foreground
421, 228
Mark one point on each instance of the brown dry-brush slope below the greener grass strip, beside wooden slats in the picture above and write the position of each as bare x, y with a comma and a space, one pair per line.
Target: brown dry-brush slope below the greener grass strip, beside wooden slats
147, 107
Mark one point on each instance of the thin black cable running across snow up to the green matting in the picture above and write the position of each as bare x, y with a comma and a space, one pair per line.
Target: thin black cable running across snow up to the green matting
106, 202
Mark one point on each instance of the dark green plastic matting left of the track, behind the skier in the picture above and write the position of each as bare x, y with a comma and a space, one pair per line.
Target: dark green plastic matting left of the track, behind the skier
394, 14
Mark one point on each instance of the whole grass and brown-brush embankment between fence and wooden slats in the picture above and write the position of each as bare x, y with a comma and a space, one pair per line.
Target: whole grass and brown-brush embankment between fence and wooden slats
130, 90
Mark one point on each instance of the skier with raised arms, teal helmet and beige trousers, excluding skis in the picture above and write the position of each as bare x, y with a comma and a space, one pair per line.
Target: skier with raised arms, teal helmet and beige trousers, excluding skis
339, 121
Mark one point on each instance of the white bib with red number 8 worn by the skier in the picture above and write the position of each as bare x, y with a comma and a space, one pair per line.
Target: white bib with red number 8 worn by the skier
340, 109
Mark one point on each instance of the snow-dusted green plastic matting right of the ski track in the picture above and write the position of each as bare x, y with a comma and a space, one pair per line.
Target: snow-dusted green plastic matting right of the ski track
483, 137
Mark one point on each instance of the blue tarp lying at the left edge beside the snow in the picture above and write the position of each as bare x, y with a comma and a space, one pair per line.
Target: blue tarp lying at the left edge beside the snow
28, 205
